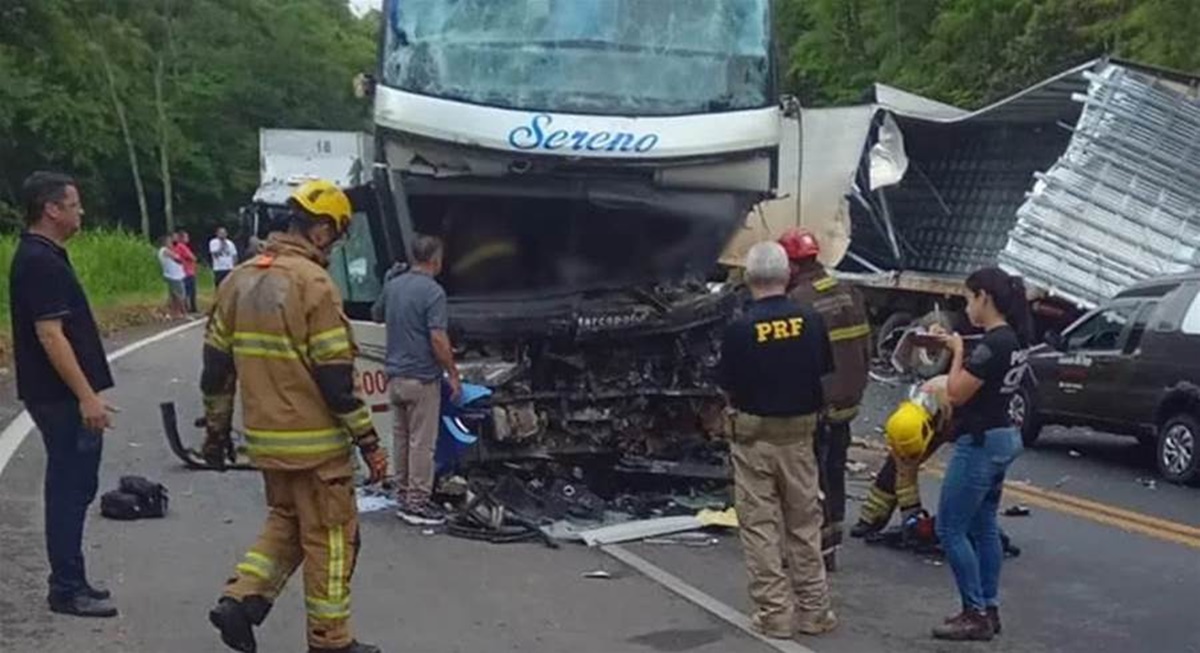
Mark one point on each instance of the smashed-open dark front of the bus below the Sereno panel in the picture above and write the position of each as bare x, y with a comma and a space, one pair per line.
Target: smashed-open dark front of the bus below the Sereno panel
583, 308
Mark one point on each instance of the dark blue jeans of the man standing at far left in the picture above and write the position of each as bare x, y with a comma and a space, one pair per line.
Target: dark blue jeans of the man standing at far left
73, 477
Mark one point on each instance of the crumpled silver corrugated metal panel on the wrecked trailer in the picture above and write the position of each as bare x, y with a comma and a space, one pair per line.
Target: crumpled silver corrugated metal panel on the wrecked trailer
1123, 203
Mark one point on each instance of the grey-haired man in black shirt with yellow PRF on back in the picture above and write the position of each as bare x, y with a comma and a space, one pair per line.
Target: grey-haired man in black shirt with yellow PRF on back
772, 363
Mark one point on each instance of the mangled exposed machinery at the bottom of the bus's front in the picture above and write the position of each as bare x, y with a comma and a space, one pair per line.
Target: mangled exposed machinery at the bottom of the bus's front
631, 380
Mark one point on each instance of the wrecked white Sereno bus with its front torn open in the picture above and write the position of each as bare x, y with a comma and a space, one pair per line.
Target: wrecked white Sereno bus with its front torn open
585, 161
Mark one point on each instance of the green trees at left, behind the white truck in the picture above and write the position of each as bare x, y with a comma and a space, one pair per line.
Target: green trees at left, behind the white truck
175, 127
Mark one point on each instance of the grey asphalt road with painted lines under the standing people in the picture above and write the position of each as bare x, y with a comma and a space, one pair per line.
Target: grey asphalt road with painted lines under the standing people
1081, 585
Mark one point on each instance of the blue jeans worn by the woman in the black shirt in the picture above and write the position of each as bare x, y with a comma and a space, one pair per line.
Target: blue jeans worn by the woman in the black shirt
967, 514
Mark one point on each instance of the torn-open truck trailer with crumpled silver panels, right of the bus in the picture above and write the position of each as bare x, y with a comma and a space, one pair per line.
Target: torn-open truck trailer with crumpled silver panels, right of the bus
1084, 184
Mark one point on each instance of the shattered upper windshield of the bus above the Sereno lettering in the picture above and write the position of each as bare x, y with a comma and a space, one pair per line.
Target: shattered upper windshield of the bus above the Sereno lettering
593, 57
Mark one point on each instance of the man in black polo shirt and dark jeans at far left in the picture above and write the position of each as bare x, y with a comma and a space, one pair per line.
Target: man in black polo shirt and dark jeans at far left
61, 372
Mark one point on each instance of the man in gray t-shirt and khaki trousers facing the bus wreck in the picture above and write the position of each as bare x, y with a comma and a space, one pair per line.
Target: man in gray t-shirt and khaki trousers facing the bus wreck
419, 354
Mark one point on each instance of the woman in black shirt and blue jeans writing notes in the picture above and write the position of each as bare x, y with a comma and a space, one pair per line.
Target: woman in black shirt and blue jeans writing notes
986, 445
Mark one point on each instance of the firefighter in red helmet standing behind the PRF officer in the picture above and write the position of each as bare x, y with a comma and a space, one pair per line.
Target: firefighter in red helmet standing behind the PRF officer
842, 308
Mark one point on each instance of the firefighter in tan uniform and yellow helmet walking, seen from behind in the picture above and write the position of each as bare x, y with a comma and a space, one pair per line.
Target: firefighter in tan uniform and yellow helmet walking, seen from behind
279, 332
